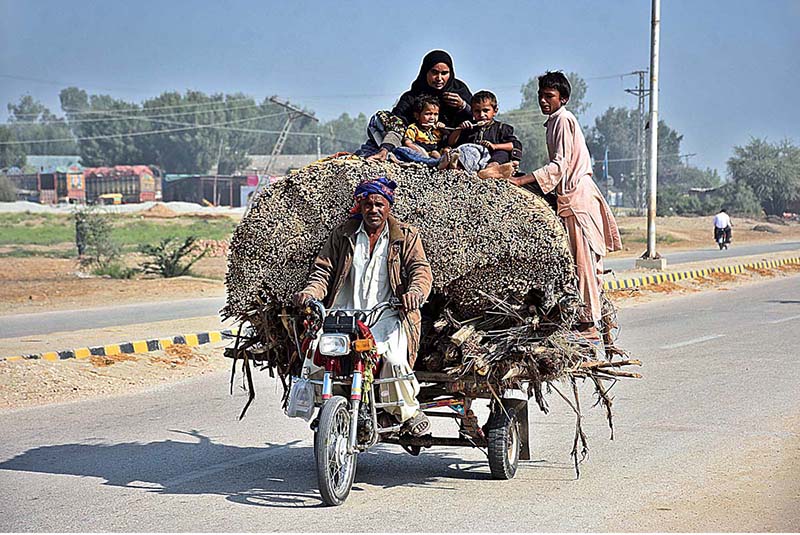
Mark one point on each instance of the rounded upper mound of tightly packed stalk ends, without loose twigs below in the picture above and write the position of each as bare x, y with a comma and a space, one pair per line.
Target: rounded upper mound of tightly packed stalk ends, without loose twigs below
478, 234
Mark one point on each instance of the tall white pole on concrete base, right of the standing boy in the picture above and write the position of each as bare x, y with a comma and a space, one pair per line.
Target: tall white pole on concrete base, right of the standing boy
651, 258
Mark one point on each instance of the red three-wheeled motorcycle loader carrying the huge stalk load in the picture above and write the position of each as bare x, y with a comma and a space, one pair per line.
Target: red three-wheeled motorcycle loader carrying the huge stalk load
350, 406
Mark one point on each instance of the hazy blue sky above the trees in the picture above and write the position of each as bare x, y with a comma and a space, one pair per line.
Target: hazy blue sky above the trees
729, 69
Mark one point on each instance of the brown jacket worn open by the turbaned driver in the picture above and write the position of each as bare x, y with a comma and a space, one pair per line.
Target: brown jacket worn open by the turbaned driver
409, 270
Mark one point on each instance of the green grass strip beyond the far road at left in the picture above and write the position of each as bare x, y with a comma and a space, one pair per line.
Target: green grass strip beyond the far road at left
129, 232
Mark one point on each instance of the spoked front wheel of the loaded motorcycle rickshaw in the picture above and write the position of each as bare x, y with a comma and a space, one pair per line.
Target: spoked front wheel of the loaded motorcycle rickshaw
336, 468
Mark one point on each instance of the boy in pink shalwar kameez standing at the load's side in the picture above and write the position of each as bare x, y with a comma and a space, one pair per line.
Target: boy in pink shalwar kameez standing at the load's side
590, 225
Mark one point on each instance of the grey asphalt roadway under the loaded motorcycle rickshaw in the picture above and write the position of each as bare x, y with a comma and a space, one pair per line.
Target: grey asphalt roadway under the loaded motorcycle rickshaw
705, 442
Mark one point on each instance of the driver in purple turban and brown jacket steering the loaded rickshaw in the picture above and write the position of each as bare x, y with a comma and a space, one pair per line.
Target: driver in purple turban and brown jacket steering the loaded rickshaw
369, 259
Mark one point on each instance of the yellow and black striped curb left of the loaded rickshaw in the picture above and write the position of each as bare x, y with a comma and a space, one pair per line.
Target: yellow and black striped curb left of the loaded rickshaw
141, 346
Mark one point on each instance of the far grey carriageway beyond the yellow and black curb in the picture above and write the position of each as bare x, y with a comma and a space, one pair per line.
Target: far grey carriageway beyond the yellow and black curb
13, 326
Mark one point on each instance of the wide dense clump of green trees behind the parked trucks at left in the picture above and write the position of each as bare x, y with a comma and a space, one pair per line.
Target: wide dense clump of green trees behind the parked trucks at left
181, 133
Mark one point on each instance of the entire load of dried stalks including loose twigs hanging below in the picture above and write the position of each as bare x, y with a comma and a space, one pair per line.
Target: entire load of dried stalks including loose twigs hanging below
504, 289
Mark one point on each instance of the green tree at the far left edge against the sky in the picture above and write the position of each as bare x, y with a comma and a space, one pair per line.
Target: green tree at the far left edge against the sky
30, 120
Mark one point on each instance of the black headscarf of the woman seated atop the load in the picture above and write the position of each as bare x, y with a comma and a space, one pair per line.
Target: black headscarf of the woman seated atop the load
420, 86
